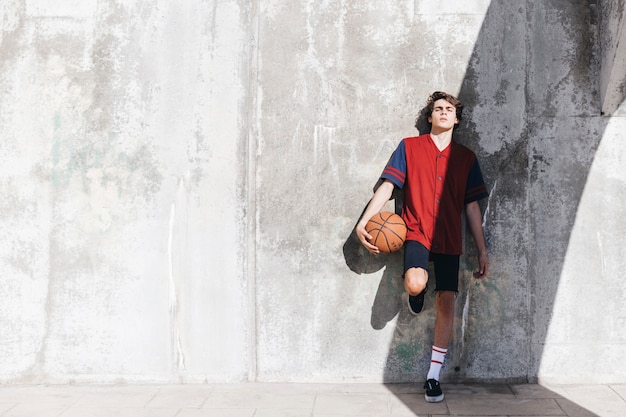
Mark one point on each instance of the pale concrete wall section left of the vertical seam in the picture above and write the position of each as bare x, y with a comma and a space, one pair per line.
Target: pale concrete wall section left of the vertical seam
123, 206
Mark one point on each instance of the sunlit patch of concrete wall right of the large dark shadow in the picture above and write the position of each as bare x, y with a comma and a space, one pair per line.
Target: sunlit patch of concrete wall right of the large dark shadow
587, 314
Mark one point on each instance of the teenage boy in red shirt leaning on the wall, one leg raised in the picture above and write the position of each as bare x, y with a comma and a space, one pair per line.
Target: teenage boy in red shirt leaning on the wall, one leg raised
439, 177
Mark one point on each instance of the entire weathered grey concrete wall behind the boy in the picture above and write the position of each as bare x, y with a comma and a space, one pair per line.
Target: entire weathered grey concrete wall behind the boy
181, 181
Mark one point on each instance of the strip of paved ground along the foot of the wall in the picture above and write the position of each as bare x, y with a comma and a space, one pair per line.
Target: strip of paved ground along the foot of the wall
309, 400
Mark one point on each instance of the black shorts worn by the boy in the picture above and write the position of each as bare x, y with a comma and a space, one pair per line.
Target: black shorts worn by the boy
446, 266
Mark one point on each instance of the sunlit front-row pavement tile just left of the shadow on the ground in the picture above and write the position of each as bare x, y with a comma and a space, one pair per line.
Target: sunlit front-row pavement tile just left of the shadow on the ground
349, 405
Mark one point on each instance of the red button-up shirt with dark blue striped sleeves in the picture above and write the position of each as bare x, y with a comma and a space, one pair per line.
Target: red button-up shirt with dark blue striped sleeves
437, 185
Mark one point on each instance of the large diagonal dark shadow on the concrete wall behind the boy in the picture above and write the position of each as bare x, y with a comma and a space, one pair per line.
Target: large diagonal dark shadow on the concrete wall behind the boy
528, 97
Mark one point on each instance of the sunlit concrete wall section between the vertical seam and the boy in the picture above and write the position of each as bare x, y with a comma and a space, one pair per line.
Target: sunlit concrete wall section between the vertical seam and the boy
338, 95
